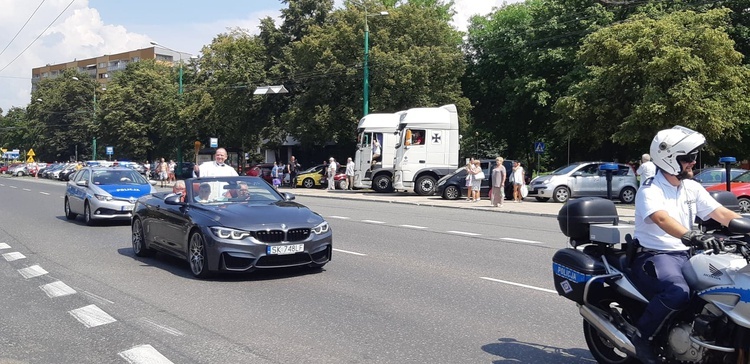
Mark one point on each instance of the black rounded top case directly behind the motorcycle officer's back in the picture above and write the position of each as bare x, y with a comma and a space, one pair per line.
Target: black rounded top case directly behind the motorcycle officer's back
576, 215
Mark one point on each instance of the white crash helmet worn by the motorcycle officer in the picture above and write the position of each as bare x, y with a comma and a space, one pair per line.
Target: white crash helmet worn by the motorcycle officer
670, 144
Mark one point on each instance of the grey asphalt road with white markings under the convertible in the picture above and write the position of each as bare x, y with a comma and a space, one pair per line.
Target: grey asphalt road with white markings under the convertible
407, 284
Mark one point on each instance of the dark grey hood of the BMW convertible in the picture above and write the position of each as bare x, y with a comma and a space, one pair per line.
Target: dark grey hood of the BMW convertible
261, 215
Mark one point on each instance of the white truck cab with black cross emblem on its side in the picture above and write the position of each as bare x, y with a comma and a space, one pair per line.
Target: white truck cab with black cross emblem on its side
427, 148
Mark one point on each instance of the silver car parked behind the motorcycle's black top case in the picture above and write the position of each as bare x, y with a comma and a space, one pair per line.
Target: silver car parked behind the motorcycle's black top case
584, 179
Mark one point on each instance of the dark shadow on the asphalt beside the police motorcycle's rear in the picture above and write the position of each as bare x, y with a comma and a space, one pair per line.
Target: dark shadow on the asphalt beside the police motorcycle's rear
511, 350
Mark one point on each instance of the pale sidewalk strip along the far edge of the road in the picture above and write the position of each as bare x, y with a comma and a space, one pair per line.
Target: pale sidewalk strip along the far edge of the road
528, 207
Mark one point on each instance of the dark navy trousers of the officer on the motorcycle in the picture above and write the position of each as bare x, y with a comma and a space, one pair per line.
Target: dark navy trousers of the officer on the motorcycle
659, 277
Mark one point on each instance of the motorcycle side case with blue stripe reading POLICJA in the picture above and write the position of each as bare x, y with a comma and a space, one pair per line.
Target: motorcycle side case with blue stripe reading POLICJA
571, 270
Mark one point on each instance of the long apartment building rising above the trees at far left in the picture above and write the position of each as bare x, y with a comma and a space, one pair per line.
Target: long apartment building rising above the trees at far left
100, 68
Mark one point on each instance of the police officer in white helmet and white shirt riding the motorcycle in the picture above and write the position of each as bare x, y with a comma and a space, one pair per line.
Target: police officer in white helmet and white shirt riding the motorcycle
665, 207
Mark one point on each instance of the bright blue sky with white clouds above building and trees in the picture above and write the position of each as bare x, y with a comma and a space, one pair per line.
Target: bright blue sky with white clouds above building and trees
34, 33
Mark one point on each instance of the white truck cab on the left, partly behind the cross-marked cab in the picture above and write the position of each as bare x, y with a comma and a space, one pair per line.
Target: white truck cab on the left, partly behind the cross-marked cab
376, 137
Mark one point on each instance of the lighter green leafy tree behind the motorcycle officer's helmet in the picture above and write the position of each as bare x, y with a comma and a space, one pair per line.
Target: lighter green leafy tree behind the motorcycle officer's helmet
648, 74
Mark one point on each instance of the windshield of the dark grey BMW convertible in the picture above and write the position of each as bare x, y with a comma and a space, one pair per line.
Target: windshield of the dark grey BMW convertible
231, 190
